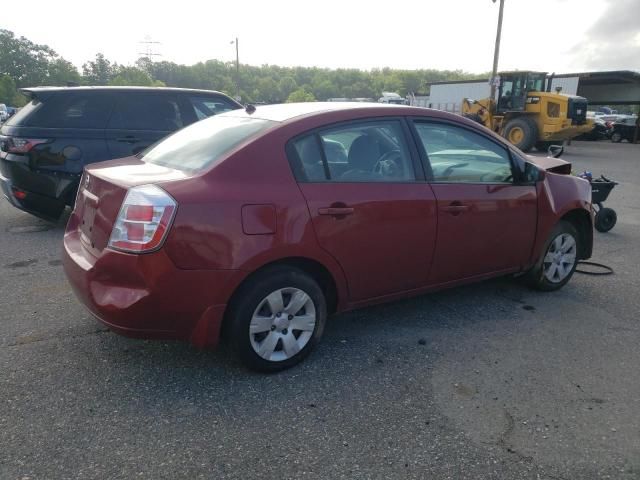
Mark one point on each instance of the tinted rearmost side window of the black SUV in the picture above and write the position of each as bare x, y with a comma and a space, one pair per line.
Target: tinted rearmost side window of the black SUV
67, 110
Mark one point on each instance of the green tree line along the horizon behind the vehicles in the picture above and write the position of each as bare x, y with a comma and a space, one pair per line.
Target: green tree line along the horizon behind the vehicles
24, 63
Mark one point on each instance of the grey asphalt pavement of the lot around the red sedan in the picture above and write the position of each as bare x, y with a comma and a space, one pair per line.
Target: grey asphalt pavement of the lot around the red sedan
489, 381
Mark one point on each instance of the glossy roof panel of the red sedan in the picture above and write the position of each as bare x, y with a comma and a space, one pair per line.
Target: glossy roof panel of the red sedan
287, 111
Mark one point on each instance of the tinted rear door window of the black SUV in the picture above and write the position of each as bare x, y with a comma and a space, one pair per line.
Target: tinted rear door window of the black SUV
149, 111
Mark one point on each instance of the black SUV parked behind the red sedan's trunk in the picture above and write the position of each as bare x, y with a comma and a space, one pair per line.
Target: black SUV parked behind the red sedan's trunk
46, 145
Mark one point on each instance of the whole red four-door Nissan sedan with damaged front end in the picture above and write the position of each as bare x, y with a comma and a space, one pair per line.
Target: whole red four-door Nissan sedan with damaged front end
261, 222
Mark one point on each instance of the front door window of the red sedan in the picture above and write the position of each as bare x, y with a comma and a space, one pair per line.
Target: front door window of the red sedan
457, 155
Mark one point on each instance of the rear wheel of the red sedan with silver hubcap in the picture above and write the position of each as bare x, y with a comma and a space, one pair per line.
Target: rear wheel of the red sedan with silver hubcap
267, 340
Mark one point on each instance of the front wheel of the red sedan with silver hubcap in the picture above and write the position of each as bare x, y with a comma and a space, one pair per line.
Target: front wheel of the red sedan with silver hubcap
544, 276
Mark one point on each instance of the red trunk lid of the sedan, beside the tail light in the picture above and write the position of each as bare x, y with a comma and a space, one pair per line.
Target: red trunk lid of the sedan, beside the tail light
102, 190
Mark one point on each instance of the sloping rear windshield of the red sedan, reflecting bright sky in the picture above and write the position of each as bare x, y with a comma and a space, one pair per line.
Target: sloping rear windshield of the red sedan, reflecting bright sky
198, 146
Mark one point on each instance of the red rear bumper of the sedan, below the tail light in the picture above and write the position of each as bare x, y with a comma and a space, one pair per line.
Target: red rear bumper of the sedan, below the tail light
146, 296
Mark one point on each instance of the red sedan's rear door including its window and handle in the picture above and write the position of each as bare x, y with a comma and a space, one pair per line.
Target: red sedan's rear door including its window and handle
370, 207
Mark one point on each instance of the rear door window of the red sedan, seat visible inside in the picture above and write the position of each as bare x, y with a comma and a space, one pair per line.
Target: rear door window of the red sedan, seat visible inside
357, 152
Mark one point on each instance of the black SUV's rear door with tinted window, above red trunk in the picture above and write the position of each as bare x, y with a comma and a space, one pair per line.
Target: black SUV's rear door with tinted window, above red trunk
140, 119
